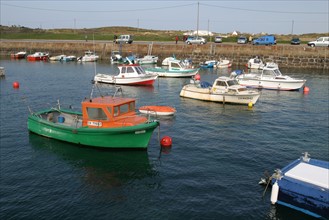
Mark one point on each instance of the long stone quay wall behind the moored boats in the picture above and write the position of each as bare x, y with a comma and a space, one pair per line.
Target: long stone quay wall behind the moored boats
294, 56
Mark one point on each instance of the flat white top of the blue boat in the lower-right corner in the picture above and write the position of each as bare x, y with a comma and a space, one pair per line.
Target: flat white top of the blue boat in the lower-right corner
312, 174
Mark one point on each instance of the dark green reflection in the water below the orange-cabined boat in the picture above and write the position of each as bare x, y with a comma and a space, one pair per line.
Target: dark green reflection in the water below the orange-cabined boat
101, 168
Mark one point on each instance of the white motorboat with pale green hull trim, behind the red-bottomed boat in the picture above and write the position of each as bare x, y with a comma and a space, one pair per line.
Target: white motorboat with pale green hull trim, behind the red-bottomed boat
177, 68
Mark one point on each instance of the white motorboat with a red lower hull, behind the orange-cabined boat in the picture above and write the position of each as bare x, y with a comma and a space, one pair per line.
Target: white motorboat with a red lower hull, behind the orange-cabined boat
129, 74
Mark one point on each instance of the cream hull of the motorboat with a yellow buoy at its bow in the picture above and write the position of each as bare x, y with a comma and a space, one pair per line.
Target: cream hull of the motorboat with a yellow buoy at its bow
206, 94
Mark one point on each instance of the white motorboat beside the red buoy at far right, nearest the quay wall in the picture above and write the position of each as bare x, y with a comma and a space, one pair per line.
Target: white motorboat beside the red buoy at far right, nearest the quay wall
269, 78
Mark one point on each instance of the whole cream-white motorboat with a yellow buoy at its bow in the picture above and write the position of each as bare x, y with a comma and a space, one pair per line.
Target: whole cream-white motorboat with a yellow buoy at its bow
224, 89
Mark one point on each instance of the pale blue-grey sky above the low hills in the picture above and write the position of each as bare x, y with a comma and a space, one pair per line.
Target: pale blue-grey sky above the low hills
218, 16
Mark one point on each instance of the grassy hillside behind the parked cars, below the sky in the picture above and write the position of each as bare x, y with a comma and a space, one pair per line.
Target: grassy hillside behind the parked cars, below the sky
107, 33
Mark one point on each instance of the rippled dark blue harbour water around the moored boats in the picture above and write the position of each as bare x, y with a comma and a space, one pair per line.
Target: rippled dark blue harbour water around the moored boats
218, 156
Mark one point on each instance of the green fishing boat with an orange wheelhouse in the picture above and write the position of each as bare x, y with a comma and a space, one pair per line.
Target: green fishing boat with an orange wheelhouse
105, 122
